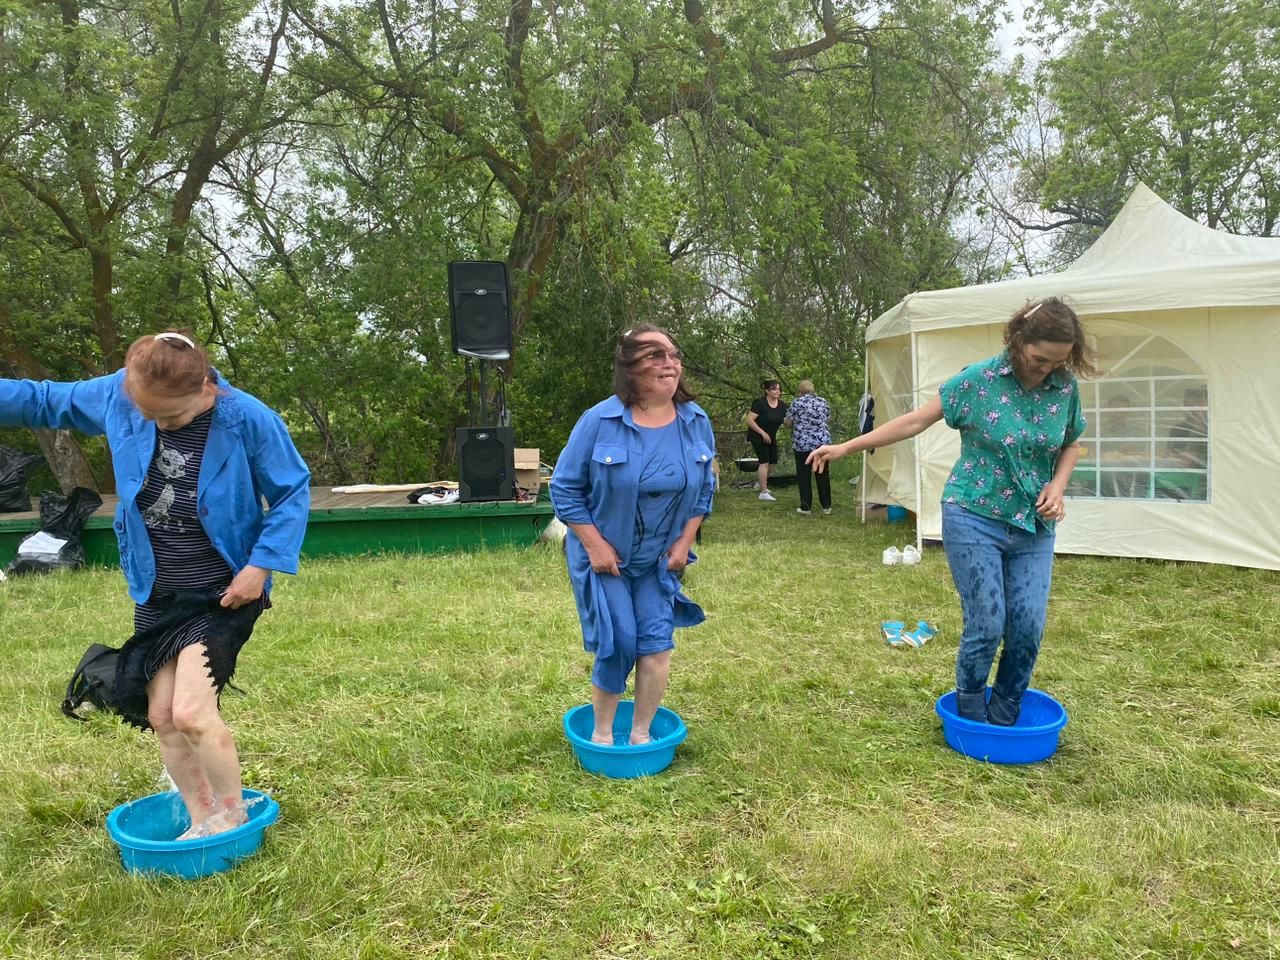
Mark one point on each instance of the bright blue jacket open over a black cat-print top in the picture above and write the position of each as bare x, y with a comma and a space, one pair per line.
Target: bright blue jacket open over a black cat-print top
249, 459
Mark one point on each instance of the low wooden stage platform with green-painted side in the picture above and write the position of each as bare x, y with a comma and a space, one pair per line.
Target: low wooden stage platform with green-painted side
345, 524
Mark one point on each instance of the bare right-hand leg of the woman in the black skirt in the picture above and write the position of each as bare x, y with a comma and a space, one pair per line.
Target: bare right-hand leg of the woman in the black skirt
195, 715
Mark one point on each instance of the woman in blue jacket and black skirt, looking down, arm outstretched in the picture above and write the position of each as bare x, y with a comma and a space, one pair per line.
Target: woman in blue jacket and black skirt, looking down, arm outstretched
195, 460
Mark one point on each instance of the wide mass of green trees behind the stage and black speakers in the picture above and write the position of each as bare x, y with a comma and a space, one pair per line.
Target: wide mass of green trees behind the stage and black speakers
757, 179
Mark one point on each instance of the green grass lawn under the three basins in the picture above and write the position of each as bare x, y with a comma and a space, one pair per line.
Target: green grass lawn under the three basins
406, 714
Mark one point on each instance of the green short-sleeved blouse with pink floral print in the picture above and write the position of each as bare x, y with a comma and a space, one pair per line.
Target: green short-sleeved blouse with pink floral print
1011, 438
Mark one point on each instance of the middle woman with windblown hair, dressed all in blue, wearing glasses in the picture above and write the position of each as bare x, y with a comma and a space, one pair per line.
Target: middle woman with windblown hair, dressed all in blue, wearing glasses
633, 486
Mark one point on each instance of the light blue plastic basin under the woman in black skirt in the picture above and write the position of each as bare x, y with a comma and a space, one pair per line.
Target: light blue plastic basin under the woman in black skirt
145, 831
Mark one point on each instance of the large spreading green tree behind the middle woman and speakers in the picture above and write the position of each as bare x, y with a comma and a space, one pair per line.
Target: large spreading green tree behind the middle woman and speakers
697, 167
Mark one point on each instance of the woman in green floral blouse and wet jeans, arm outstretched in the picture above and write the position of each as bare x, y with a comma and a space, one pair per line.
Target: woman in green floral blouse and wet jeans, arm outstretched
1020, 420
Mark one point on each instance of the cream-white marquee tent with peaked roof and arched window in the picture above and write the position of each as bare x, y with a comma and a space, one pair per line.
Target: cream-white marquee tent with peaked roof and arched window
1182, 455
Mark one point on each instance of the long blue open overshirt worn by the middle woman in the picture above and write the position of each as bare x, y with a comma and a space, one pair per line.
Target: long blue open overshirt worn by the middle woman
597, 481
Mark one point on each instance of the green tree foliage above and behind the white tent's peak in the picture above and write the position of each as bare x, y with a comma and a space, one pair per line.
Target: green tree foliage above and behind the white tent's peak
1183, 97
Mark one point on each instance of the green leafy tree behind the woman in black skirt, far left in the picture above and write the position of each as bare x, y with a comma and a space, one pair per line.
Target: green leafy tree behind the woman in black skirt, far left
112, 121
